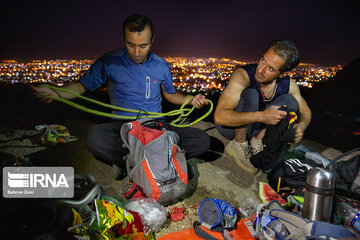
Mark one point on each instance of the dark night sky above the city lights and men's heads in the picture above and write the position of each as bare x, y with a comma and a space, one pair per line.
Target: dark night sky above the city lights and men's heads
325, 32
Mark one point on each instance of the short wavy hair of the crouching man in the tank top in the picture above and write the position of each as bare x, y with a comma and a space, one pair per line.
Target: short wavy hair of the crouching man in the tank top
287, 51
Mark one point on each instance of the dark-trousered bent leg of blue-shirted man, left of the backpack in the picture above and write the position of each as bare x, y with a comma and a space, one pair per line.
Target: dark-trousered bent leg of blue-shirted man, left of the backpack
105, 143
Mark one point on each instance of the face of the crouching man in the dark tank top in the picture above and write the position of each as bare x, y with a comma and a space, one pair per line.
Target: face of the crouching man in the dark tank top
269, 66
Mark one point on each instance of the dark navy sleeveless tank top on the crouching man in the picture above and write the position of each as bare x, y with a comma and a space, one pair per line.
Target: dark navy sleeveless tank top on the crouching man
282, 88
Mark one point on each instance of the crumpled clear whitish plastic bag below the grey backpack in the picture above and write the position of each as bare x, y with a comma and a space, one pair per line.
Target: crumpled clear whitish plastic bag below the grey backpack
150, 210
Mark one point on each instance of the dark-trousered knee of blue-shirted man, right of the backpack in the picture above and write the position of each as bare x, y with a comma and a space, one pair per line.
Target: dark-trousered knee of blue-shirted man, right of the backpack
194, 141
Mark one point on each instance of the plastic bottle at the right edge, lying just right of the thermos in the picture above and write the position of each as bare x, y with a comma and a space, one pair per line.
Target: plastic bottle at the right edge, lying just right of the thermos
349, 215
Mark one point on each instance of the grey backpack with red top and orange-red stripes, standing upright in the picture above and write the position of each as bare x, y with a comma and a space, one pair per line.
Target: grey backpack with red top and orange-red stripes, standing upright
155, 163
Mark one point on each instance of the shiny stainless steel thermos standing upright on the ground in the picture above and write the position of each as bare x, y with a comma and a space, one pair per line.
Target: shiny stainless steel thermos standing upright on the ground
319, 194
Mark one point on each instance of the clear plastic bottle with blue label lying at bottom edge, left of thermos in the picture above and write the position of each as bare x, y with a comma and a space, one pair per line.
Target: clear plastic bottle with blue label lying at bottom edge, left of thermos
275, 225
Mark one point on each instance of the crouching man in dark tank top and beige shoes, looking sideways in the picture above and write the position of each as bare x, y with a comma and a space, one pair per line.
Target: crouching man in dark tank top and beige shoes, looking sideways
252, 99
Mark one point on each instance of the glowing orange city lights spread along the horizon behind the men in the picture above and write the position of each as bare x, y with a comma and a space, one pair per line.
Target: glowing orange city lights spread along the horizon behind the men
208, 75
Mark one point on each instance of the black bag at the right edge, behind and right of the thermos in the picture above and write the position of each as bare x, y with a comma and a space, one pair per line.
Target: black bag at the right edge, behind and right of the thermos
346, 168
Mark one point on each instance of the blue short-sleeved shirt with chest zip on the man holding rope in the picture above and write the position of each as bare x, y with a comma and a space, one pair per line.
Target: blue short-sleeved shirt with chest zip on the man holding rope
128, 84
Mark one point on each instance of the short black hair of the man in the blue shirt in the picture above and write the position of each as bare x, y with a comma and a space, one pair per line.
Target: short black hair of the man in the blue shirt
137, 23
